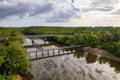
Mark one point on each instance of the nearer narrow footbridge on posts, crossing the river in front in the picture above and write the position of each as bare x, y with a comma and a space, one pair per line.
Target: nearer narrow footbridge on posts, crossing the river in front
41, 54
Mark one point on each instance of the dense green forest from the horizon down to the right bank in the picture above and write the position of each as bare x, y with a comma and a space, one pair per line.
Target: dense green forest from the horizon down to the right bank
103, 37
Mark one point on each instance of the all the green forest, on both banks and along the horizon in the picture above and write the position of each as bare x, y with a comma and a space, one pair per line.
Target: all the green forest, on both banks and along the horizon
13, 57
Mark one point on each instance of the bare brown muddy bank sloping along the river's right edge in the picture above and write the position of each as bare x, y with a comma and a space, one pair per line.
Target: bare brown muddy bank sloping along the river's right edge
101, 52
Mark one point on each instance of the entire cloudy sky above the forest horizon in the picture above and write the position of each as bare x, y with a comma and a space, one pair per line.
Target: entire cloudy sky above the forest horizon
19, 13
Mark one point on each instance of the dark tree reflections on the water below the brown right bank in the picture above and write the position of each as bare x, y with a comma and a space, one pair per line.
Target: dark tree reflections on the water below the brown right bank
92, 58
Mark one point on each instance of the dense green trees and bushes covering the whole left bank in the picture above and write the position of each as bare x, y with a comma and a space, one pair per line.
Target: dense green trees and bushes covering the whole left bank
13, 57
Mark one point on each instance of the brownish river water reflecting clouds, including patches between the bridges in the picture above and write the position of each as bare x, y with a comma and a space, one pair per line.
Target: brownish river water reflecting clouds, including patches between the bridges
78, 66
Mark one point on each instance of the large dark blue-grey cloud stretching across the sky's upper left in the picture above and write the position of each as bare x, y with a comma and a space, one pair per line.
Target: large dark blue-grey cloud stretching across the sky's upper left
20, 8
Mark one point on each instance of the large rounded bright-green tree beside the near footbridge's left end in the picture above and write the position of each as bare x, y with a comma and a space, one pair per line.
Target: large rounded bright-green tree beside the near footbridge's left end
18, 56
